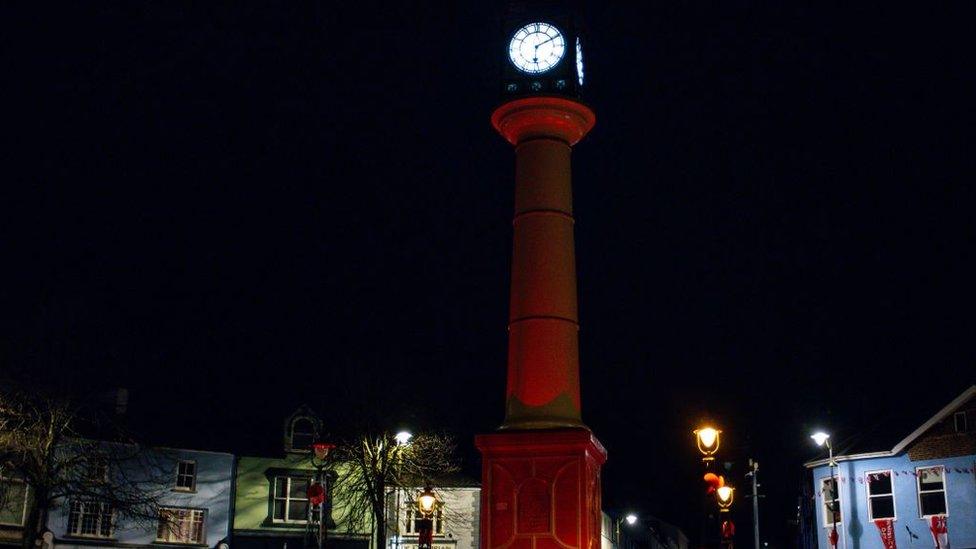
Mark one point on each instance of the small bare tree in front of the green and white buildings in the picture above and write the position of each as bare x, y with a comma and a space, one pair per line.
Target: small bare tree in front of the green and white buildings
367, 466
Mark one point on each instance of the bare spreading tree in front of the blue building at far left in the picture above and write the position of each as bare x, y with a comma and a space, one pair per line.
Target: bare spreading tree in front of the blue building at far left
41, 444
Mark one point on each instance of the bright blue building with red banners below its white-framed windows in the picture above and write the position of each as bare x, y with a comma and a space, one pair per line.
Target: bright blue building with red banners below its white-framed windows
899, 492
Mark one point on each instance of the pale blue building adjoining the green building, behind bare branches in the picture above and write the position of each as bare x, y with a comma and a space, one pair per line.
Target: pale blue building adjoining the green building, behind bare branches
193, 490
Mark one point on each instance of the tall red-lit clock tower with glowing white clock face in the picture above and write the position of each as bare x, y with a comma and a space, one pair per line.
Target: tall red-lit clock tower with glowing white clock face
541, 469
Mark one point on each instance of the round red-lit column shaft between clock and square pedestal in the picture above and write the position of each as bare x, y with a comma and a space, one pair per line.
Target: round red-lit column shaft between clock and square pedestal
543, 349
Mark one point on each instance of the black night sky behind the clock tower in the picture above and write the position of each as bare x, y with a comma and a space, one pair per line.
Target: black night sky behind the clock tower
232, 209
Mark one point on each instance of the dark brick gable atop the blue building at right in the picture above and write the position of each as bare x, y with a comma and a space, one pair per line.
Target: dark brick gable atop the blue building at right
943, 439
